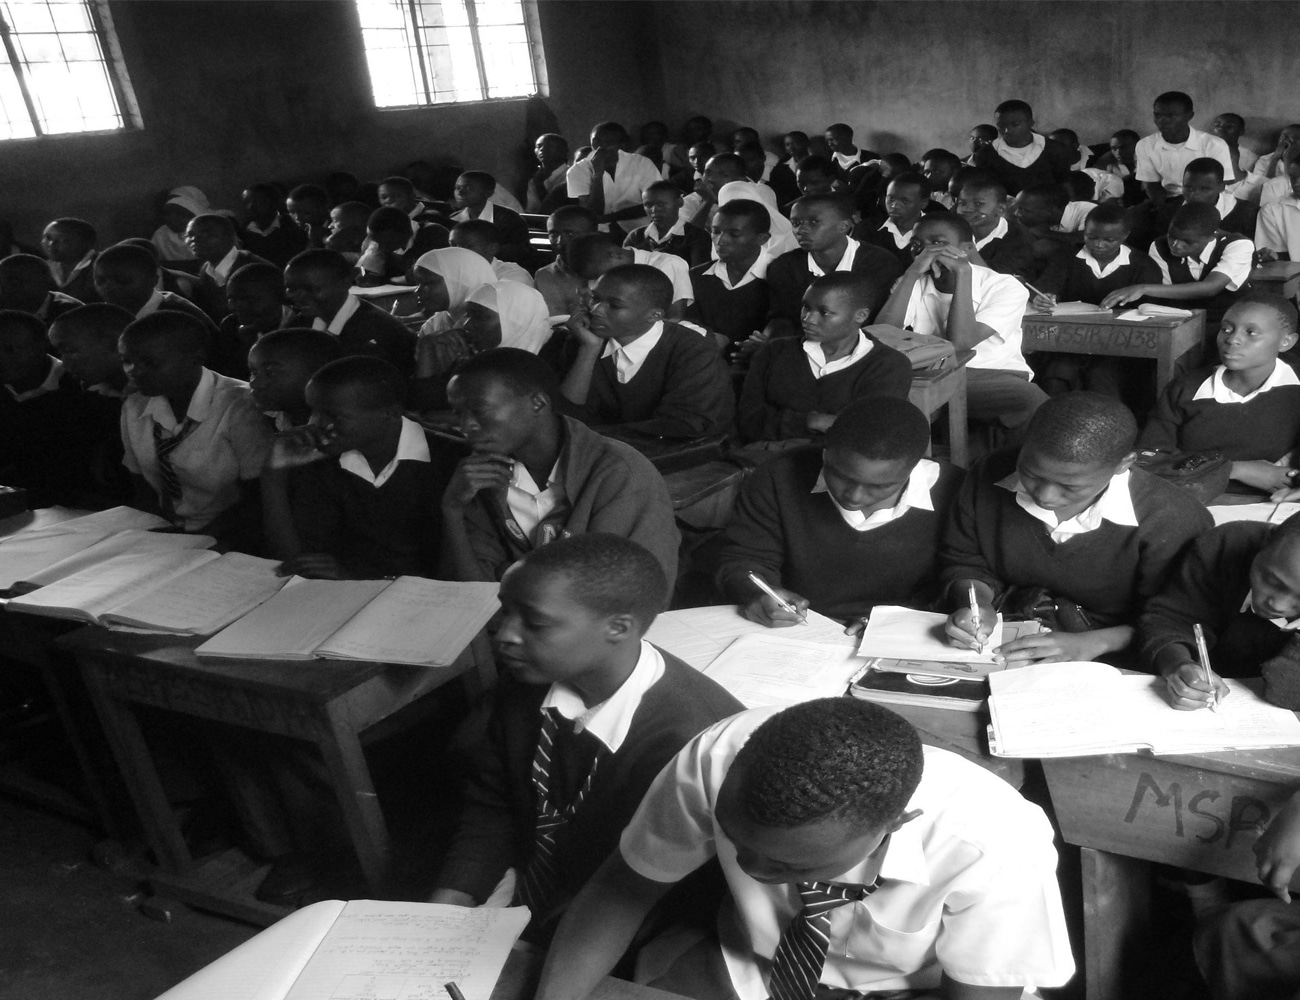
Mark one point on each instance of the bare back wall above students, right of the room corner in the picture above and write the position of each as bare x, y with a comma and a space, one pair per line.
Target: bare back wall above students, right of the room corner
911, 76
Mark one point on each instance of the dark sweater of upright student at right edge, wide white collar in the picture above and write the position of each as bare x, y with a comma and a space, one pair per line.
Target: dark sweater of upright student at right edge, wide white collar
1266, 428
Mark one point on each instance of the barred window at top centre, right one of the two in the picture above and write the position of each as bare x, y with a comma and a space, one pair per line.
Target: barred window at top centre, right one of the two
423, 53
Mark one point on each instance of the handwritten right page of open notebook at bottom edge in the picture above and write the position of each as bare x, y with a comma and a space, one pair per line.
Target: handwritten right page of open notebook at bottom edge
408, 951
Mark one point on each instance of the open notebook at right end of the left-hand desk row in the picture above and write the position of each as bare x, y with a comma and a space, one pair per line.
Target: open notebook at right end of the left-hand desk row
406, 621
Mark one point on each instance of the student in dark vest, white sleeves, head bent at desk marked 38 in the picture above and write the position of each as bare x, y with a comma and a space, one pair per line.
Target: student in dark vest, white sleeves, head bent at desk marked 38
1202, 269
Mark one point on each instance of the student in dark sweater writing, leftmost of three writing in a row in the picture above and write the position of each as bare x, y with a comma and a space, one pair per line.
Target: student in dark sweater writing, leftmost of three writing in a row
846, 527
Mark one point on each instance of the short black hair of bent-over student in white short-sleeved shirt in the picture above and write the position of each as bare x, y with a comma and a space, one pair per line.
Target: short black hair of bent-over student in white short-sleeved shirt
830, 759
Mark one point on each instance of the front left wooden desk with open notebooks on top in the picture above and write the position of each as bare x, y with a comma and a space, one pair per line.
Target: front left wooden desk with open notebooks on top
324, 703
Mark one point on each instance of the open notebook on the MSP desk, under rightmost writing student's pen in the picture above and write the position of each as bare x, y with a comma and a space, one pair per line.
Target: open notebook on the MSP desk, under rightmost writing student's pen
1087, 709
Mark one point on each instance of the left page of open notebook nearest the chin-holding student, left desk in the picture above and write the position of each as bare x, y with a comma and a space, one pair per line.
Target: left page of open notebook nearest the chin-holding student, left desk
296, 621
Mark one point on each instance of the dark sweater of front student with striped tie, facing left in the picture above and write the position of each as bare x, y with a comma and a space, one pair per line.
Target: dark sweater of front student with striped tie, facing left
500, 815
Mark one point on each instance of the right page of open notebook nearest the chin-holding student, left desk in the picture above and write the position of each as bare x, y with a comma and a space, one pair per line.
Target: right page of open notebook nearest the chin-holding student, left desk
415, 621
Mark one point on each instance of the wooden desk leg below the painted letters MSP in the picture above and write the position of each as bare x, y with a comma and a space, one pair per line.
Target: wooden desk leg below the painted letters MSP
1116, 910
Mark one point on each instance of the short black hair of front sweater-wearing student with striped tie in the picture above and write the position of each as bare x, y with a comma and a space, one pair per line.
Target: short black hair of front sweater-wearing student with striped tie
606, 574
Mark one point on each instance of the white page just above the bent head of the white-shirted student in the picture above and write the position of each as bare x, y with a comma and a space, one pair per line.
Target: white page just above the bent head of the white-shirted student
778, 669
